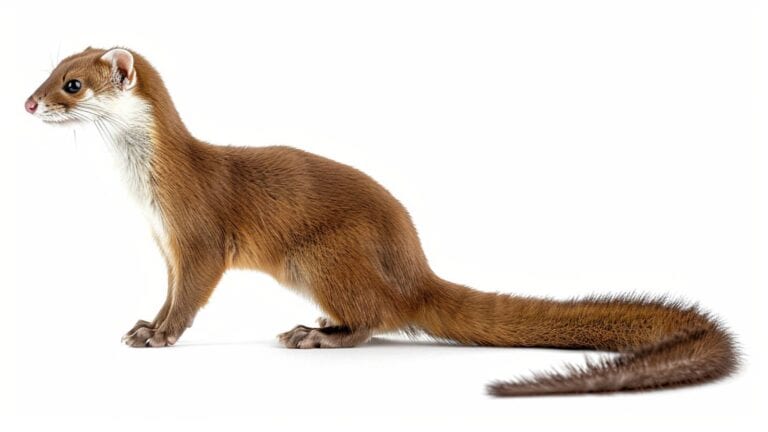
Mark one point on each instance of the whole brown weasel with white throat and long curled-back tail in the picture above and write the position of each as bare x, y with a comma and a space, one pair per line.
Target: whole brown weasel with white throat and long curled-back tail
333, 233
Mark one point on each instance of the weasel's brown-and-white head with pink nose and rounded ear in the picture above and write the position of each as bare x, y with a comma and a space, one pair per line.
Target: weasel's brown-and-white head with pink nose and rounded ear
85, 87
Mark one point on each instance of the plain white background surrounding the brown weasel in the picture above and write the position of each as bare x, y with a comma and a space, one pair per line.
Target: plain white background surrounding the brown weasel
543, 148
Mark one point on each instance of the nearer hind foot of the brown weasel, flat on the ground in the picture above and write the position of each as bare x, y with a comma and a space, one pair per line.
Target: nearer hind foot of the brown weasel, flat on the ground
324, 337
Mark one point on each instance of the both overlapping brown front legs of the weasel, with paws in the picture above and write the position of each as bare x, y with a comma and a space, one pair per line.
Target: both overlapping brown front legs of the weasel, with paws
193, 280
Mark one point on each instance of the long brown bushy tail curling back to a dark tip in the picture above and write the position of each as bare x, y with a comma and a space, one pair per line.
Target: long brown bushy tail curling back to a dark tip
661, 344
